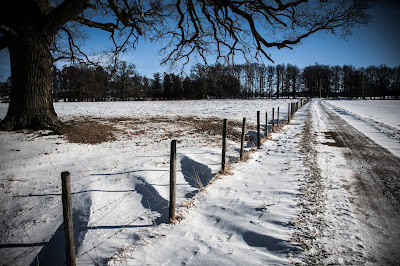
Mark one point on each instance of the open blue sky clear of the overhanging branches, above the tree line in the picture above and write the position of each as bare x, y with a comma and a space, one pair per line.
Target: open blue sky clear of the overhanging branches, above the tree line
376, 44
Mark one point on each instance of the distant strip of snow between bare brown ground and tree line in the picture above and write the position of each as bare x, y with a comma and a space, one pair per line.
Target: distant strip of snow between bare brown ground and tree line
230, 109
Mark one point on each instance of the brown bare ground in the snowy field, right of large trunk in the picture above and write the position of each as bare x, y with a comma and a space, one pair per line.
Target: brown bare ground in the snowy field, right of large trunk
92, 130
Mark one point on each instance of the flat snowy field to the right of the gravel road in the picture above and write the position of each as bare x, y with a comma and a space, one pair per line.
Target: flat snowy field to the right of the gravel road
378, 120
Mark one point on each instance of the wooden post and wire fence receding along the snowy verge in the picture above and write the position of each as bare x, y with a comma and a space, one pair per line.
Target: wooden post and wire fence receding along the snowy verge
159, 203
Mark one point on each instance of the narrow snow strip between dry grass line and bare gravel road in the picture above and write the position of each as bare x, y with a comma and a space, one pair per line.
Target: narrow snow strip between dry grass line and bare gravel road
340, 235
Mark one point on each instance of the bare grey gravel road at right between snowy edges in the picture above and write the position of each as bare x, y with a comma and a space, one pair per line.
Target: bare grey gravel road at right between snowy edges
373, 190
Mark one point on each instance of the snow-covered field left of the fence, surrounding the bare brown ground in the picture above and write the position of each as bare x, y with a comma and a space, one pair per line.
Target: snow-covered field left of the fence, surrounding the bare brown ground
120, 188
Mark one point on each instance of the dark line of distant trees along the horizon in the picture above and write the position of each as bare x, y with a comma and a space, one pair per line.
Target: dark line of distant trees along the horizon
122, 82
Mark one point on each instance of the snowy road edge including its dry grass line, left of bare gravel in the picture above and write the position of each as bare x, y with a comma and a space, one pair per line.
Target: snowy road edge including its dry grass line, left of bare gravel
332, 228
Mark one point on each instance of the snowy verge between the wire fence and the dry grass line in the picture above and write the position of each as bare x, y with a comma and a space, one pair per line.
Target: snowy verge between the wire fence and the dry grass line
246, 218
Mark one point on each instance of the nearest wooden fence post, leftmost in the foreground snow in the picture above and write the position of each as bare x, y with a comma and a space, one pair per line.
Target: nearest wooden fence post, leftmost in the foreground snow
68, 222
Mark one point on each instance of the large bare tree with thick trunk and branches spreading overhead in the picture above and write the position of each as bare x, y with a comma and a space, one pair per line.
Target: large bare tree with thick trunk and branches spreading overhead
38, 32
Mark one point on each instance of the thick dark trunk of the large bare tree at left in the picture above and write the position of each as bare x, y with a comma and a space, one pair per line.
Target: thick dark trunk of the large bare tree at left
31, 103
